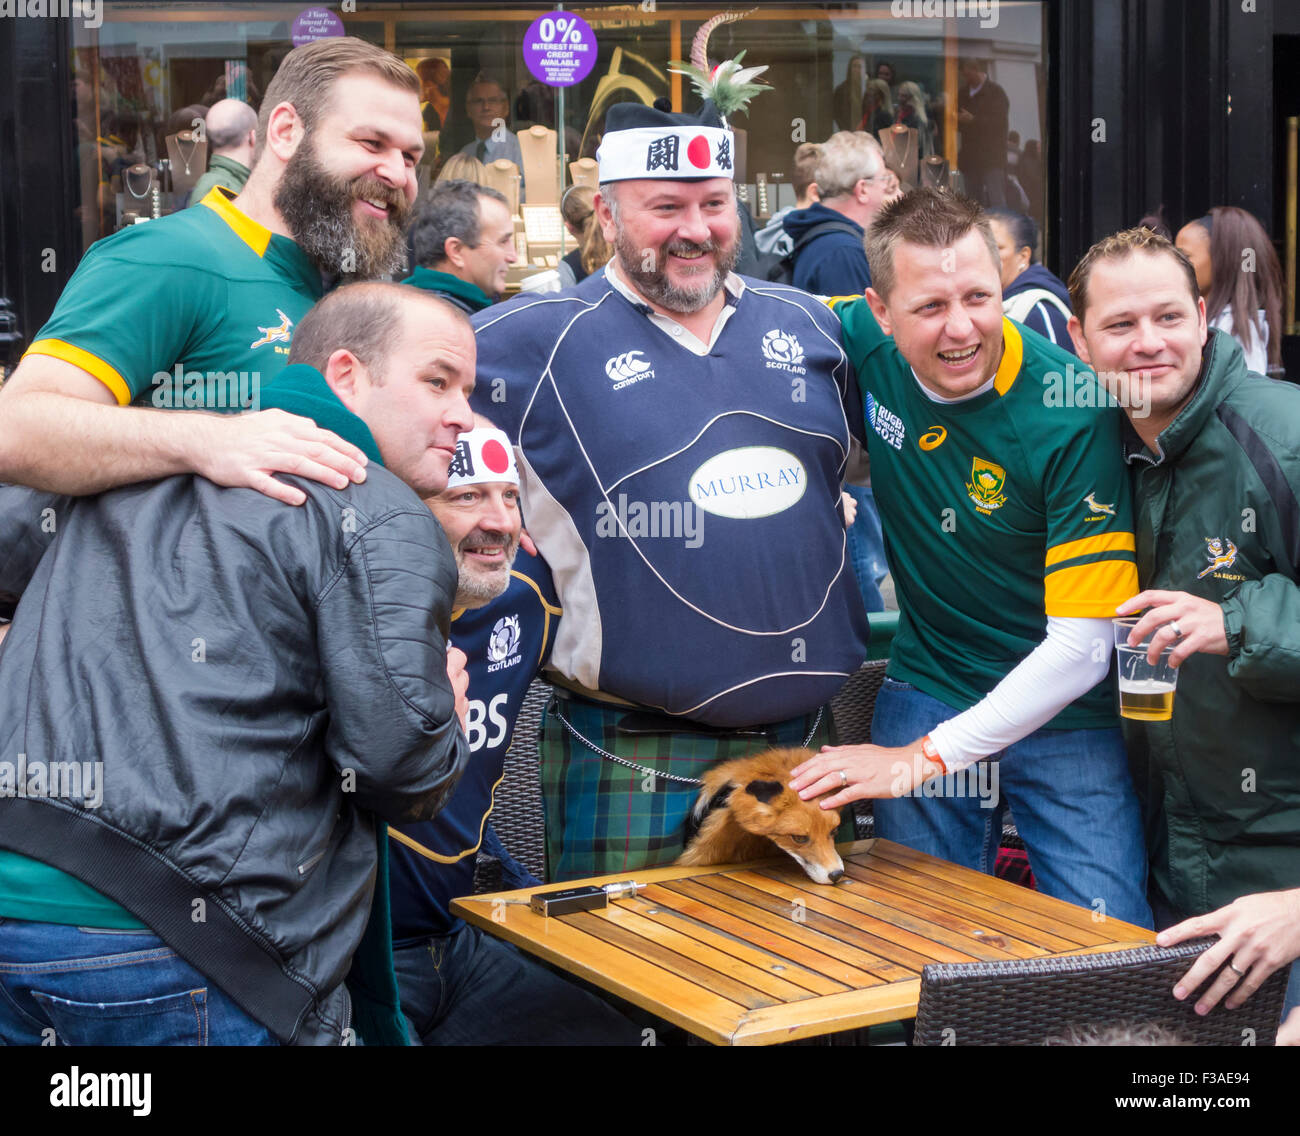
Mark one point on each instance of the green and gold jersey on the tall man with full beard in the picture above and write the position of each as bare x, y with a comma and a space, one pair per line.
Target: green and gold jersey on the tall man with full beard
192, 311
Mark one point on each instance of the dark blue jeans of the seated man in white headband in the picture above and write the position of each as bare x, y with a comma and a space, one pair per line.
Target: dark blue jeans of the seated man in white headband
469, 988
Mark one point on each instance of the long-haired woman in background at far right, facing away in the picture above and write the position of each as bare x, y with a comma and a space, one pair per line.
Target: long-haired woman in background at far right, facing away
1241, 280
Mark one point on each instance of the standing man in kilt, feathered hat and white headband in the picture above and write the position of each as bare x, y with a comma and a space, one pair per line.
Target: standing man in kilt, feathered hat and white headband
682, 445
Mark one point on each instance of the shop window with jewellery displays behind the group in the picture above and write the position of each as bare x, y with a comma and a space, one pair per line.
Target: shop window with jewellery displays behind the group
150, 71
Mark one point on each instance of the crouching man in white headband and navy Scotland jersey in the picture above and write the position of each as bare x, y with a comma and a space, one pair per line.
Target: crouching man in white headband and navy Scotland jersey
458, 986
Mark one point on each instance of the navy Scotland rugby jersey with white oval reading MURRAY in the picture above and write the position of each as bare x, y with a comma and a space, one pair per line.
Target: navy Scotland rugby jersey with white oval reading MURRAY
687, 505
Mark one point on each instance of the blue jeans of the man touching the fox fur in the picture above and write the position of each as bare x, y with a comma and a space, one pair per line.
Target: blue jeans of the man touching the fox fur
1069, 791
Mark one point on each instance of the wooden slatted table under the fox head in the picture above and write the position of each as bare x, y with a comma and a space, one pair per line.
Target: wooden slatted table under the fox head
756, 955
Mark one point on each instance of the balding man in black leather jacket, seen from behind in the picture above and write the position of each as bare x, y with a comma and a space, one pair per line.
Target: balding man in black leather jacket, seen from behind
248, 692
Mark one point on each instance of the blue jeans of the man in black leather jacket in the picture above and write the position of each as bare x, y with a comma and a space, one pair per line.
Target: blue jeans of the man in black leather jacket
84, 986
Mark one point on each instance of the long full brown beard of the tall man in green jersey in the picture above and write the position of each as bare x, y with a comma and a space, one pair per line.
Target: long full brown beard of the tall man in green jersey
318, 209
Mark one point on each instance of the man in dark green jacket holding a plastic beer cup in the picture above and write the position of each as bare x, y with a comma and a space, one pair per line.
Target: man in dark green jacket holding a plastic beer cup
1215, 454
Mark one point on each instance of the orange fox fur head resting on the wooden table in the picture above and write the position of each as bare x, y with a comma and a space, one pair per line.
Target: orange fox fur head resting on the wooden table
747, 805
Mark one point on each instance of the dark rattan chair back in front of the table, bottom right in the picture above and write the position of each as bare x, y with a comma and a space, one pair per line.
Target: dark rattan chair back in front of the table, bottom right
1042, 1001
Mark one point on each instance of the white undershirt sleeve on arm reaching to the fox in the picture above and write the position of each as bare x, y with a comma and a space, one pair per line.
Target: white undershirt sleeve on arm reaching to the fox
1074, 658
